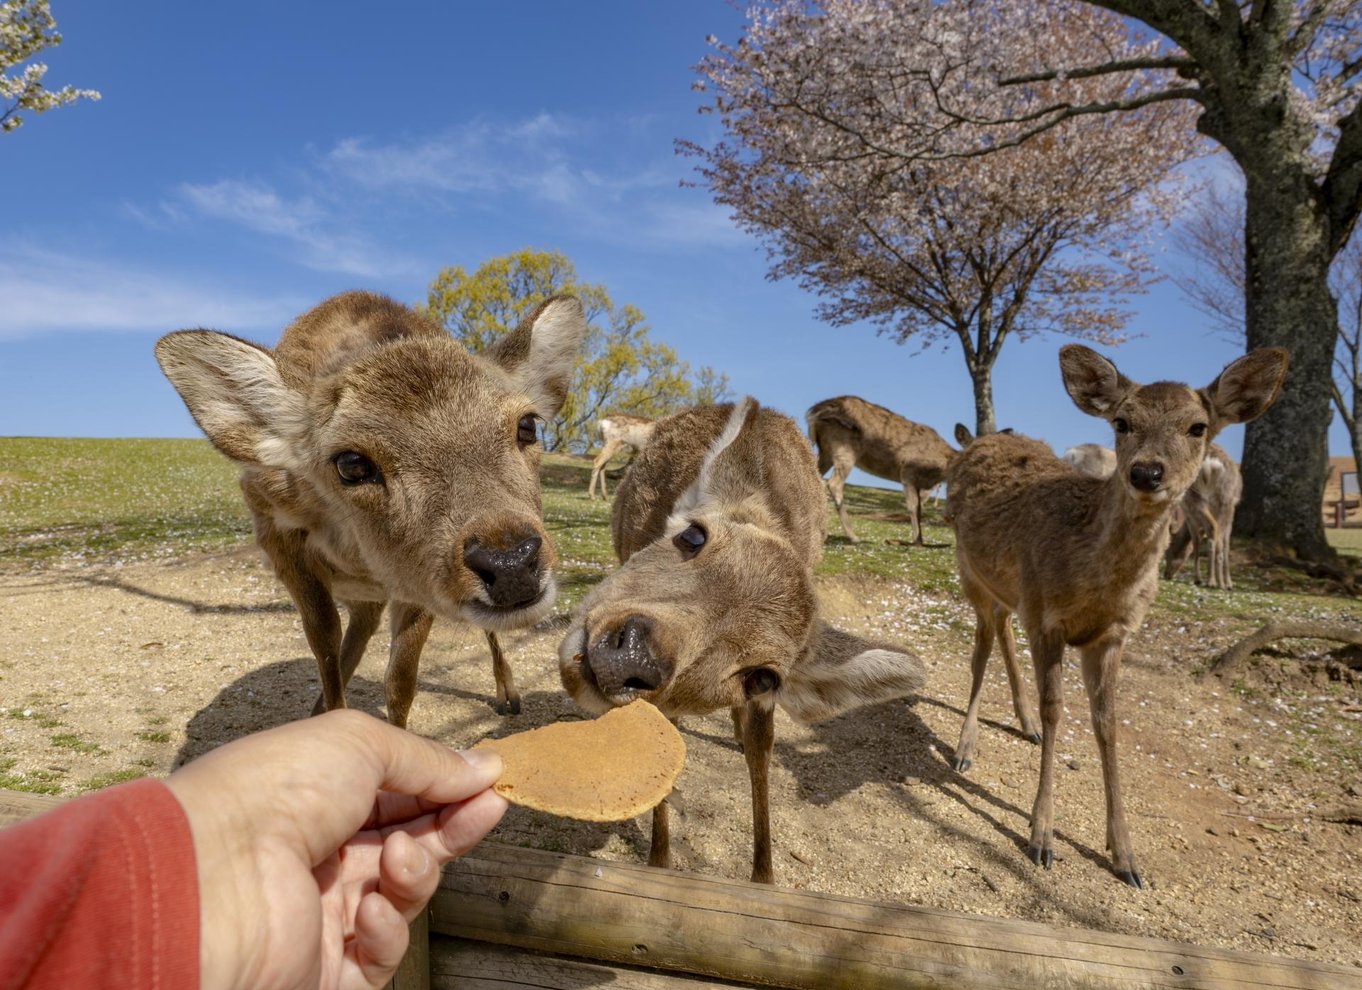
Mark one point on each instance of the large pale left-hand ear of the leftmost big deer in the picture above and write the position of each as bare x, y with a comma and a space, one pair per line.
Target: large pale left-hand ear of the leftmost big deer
236, 396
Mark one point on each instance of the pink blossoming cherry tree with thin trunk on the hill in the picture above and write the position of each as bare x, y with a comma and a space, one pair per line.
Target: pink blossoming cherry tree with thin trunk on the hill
838, 119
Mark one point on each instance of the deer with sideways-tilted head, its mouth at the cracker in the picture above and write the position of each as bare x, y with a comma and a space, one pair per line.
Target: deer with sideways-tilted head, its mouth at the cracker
718, 525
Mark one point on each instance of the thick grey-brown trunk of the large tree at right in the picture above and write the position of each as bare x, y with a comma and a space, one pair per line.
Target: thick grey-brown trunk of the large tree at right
1289, 306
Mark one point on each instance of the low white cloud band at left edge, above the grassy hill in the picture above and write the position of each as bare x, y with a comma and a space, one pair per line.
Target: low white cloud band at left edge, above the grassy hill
44, 292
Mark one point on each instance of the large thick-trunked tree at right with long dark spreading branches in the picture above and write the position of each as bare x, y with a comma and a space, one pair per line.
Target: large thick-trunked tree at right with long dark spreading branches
1276, 84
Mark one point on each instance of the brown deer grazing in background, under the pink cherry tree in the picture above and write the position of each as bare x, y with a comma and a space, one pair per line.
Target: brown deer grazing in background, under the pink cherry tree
851, 432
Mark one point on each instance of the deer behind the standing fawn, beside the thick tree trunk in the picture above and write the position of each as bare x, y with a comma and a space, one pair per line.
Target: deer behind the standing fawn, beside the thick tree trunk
1206, 520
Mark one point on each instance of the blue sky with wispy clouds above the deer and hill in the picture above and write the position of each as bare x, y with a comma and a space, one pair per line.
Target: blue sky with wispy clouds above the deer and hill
250, 160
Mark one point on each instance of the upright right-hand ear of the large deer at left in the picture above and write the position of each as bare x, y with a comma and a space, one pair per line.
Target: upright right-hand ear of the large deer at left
543, 352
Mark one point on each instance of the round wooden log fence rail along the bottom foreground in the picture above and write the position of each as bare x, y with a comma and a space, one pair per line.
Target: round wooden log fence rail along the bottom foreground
513, 919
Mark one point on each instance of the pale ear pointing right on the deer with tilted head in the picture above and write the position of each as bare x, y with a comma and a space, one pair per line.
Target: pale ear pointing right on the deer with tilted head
841, 672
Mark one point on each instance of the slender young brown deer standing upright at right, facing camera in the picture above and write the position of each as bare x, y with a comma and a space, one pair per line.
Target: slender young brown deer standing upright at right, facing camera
1077, 558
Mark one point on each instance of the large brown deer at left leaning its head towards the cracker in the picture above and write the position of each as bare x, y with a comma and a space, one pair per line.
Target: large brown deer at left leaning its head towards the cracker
383, 462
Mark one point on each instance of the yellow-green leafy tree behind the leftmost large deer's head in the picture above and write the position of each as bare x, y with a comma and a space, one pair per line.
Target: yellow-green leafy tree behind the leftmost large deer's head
622, 368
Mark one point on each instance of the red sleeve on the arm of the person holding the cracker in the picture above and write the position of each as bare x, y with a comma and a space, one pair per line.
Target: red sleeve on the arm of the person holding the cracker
103, 894
